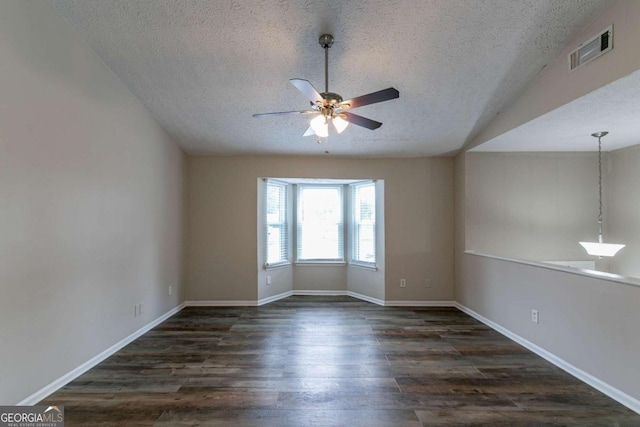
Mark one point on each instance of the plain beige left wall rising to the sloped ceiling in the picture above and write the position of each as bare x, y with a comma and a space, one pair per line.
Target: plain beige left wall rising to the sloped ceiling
90, 204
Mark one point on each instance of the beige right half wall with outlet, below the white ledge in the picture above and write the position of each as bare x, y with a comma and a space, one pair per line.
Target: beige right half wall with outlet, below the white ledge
588, 322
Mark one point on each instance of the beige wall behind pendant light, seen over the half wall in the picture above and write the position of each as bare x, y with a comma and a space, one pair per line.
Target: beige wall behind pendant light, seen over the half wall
533, 206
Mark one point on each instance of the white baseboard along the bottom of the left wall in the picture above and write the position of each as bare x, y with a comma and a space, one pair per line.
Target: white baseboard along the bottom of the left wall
75, 373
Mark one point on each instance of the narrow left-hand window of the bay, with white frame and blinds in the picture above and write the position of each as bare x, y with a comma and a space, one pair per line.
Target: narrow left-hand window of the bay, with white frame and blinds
283, 224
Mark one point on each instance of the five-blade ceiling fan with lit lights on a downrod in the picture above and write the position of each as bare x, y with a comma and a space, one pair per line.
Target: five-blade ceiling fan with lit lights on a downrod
330, 107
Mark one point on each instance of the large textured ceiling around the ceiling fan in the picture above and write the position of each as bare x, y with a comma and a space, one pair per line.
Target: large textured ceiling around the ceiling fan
202, 68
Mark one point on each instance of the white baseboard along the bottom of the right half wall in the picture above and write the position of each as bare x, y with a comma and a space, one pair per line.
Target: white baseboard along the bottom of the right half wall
614, 393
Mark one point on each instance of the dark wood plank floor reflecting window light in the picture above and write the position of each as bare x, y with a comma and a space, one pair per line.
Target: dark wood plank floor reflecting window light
330, 361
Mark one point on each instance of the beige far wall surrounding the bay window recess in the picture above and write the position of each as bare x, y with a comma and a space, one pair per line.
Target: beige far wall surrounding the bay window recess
222, 232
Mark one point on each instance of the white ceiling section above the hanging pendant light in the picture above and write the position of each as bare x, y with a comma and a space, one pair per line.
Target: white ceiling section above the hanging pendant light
613, 108
